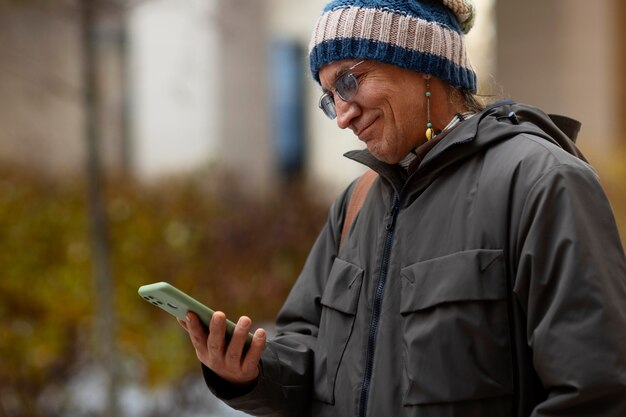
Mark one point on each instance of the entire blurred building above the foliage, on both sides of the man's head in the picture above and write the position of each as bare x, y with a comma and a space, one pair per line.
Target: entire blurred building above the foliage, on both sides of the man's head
185, 83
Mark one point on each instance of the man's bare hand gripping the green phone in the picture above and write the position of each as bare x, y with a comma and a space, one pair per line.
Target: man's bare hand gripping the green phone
226, 360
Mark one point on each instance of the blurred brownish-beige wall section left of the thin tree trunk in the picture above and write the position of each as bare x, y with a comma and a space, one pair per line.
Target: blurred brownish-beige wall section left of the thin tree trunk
40, 88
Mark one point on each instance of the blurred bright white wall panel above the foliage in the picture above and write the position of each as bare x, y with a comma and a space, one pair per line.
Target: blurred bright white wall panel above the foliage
174, 81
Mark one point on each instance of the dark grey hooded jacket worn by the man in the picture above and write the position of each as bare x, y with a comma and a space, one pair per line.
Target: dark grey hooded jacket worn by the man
491, 282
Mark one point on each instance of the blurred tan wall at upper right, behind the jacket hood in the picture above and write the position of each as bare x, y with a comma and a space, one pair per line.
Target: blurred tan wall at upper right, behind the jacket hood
561, 55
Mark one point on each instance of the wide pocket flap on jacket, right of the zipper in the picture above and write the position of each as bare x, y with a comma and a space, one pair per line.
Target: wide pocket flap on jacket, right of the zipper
462, 276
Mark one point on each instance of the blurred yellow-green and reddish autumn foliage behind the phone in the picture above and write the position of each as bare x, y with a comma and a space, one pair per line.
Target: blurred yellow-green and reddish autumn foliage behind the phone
233, 252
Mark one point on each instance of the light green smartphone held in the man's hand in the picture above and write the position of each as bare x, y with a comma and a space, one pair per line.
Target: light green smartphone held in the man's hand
178, 304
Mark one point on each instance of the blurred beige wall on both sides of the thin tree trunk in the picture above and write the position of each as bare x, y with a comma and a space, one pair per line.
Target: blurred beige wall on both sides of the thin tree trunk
41, 113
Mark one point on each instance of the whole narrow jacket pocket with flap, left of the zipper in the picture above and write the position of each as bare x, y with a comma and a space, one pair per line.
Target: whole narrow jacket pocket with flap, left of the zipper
339, 306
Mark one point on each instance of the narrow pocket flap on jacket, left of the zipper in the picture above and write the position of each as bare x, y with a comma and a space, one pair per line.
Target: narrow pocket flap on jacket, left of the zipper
343, 287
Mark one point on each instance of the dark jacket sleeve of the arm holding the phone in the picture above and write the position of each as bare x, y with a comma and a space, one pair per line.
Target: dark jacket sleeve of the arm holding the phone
285, 383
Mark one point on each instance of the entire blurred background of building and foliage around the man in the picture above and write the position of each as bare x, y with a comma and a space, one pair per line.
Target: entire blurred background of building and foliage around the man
180, 140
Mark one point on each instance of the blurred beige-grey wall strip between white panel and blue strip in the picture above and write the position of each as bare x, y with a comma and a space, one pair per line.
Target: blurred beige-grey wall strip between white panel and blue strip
245, 144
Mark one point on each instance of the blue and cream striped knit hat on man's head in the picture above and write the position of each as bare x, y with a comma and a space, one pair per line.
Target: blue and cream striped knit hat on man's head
425, 36
